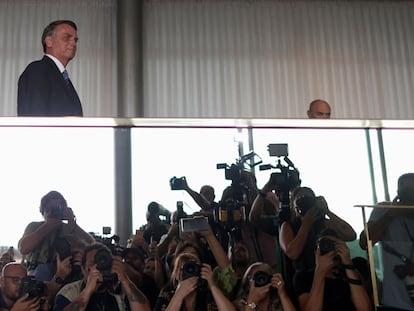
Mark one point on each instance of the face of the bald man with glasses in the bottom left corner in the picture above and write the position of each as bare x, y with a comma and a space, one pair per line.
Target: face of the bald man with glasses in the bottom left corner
10, 281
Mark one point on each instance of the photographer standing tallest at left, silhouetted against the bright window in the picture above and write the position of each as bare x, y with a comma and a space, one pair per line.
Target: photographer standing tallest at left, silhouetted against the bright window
40, 239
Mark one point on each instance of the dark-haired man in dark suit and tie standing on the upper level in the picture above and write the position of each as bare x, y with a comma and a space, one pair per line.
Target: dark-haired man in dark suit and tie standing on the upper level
44, 88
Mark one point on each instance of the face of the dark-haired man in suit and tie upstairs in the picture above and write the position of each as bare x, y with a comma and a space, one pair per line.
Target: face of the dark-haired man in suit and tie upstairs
62, 44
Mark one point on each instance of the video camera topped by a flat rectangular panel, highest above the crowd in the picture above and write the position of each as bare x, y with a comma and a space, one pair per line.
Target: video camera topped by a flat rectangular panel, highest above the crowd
284, 179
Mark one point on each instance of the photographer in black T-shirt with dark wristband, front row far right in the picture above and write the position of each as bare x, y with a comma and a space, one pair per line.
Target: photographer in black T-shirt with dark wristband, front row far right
334, 283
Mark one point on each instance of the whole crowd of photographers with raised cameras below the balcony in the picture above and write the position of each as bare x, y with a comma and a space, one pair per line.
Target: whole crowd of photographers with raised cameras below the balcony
278, 247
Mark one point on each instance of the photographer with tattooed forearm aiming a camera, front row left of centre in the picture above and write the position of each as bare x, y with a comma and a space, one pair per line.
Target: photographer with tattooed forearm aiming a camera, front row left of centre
105, 286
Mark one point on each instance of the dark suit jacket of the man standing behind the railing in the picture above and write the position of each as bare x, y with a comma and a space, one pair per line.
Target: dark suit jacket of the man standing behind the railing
42, 91
